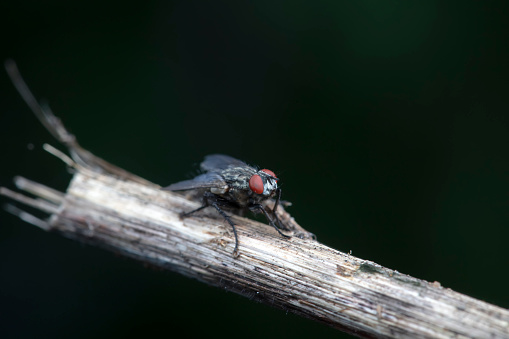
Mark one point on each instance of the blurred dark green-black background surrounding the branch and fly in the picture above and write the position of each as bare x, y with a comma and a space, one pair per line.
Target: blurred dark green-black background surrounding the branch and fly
386, 121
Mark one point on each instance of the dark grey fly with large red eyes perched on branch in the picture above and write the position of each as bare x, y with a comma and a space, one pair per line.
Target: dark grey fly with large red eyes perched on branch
232, 184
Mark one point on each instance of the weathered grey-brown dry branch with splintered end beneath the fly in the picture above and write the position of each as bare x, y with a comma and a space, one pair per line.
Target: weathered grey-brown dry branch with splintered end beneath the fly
109, 207
